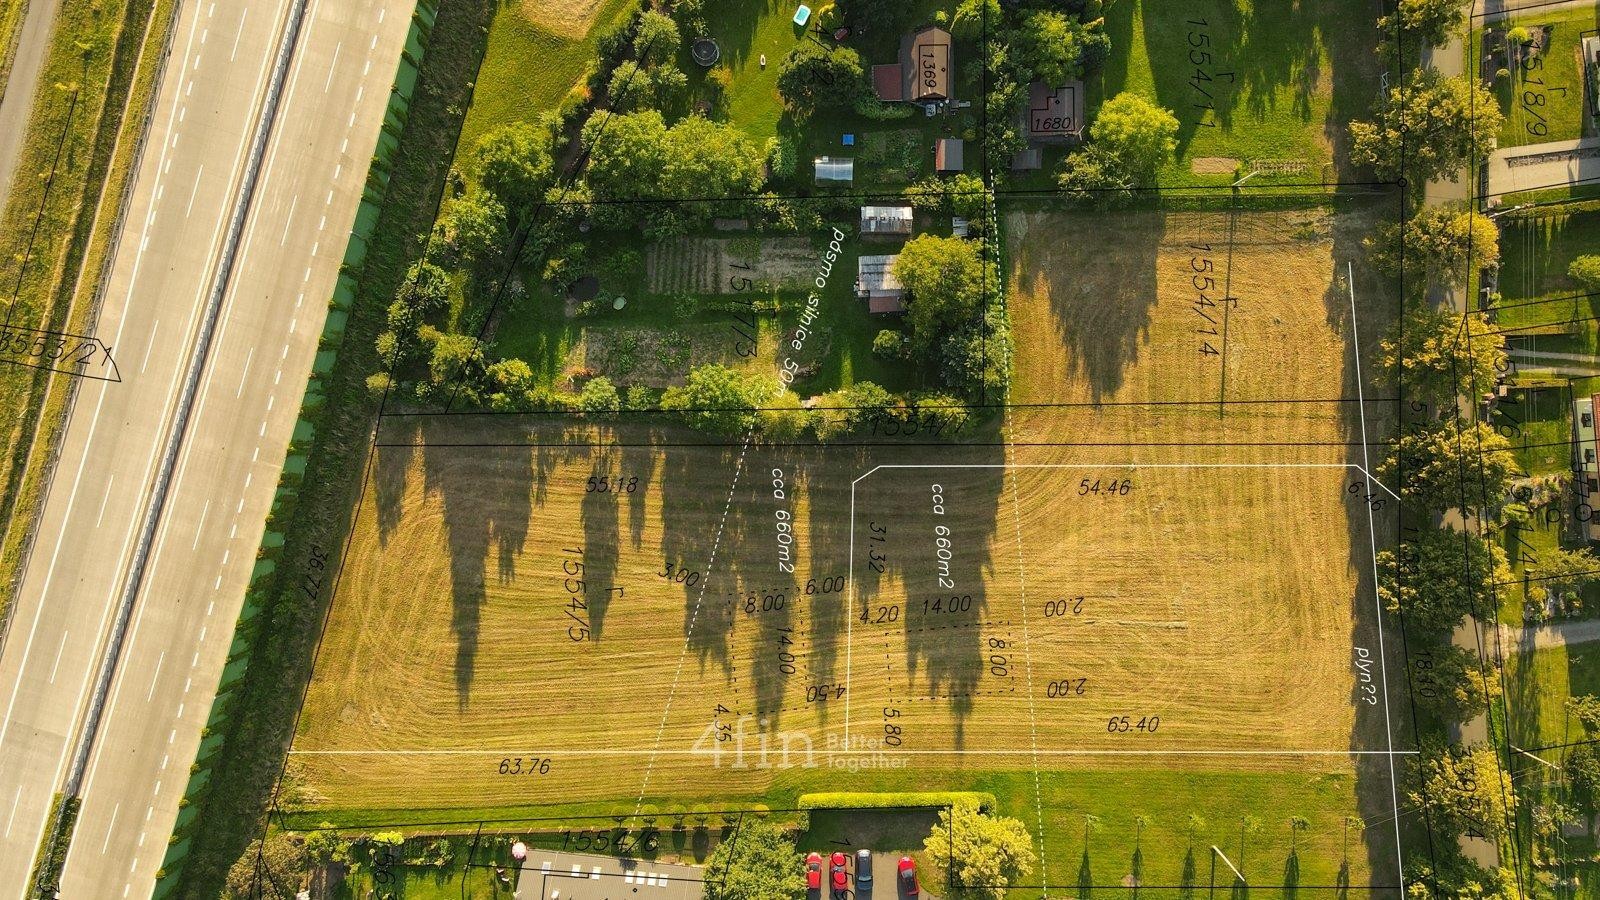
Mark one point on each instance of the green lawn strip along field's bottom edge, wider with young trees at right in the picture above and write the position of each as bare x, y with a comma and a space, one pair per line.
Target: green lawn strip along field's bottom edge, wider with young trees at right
1166, 797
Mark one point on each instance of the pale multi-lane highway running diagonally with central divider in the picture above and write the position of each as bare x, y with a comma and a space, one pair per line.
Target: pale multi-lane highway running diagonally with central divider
230, 464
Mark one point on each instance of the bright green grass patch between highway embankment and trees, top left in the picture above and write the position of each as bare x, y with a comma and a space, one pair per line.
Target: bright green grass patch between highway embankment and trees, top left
527, 70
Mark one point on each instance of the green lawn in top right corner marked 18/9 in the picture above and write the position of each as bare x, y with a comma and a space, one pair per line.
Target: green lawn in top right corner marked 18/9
1543, 97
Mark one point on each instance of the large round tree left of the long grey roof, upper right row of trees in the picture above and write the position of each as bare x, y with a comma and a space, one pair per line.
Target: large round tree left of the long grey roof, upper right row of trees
1428, 127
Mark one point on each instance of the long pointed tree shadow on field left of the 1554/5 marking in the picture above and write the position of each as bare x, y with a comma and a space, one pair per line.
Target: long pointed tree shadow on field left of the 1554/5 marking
487, 497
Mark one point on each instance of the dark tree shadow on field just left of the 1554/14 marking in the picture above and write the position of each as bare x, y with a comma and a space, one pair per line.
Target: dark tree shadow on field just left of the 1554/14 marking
1102, 287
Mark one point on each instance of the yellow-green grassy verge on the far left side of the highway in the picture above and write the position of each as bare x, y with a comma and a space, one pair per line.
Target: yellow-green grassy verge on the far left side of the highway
78, 227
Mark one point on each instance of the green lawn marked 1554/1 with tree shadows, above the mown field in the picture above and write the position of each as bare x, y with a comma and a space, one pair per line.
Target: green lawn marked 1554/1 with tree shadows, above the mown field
1282, 79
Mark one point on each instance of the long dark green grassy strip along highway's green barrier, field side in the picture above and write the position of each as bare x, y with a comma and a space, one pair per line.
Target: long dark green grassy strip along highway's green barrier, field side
282, 635
